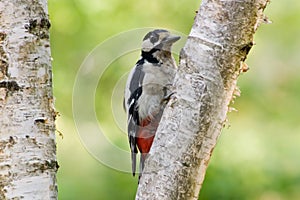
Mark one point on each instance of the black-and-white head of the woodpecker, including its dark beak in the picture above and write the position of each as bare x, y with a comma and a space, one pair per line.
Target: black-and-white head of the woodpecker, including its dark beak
159, 39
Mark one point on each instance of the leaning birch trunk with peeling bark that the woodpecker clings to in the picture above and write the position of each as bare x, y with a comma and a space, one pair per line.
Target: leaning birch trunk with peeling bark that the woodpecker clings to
205, 84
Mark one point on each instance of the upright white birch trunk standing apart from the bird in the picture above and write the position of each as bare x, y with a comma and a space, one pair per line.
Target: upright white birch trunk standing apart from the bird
27, 131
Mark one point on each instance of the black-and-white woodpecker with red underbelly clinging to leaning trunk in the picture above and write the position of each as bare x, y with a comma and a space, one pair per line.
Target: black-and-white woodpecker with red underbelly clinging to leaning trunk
147, 90
